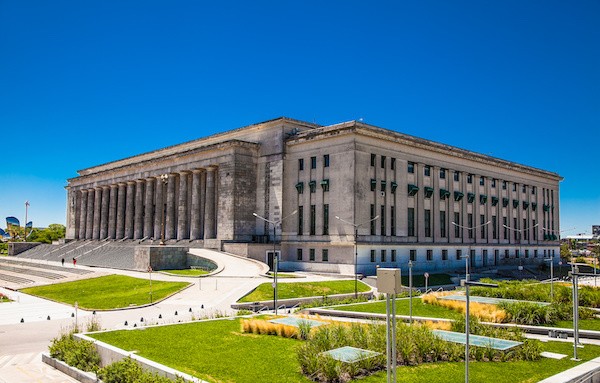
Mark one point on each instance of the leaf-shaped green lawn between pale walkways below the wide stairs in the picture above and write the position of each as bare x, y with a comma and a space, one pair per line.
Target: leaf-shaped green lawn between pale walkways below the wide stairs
108, 292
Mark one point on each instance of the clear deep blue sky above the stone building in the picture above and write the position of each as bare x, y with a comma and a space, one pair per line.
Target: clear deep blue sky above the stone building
87, 82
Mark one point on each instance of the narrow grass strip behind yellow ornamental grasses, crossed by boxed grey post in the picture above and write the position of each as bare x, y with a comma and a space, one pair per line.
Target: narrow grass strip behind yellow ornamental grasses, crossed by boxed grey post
403, 308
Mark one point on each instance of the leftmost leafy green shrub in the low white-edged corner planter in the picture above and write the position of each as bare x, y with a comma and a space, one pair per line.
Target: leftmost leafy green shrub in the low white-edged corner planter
80, 354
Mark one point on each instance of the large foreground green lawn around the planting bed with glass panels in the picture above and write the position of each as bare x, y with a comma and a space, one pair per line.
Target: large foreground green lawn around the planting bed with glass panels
217, 351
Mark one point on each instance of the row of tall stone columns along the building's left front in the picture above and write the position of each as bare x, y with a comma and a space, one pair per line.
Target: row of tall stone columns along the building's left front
179, 205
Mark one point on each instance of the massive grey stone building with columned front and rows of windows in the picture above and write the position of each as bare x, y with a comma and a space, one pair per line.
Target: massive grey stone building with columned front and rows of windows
409, 198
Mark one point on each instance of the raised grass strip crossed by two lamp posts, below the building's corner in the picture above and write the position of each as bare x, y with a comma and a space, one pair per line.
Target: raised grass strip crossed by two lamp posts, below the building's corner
264, 292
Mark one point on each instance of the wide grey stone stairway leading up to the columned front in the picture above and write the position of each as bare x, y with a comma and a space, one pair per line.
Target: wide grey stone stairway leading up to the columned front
99, 253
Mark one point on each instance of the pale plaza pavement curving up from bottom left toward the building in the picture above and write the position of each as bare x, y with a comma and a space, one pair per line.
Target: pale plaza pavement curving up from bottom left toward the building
21, 344
